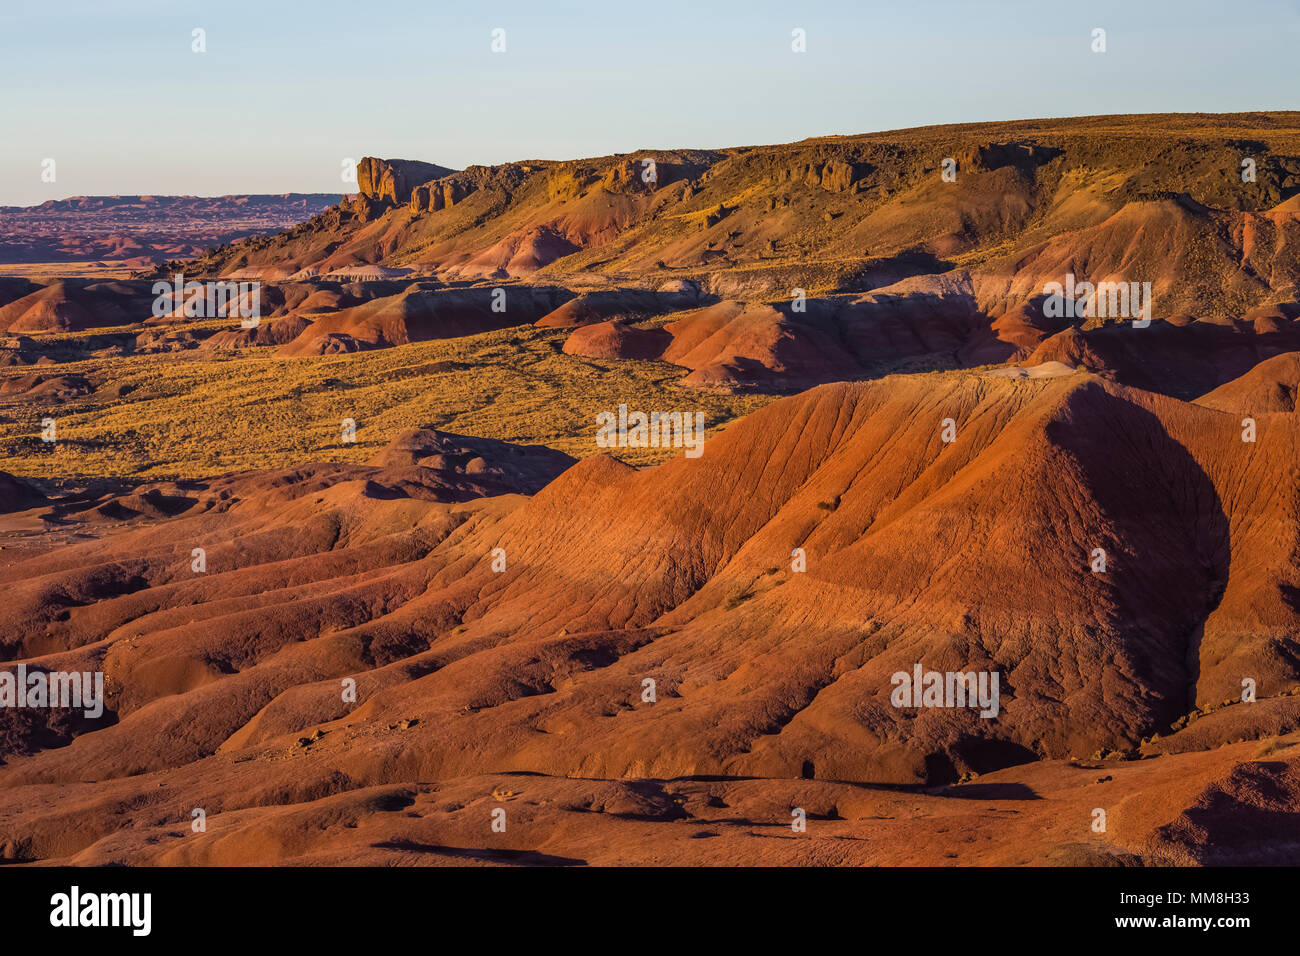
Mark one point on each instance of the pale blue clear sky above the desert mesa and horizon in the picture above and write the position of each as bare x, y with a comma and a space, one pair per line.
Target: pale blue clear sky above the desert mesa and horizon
287, 92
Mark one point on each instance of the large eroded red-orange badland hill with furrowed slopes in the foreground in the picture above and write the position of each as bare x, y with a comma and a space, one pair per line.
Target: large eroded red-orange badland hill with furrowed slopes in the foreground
972, 556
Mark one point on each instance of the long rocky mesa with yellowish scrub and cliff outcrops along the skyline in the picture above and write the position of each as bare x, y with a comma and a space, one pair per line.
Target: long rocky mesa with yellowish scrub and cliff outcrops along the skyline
1021, 205
